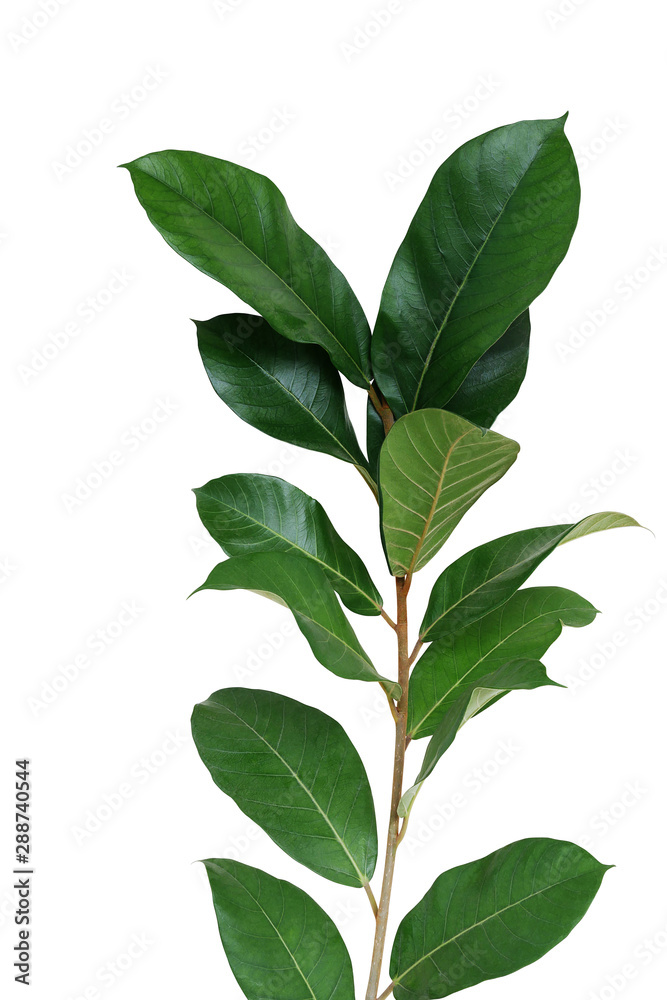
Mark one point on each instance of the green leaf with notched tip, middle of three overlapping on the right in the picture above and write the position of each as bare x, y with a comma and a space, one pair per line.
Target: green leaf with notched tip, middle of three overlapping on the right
524, 627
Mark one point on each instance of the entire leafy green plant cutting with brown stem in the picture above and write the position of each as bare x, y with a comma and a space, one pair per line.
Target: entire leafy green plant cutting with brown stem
447, 354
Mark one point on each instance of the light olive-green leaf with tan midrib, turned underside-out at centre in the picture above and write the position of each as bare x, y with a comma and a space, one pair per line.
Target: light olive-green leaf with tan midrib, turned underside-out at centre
434, 465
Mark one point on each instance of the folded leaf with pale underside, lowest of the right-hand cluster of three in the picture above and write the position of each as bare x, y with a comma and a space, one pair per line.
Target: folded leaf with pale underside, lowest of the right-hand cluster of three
474, 696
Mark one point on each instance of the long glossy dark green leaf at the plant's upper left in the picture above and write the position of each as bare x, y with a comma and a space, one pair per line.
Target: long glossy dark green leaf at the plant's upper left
234, 225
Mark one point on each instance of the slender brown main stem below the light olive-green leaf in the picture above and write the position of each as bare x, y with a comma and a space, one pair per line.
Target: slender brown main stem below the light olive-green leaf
402, 587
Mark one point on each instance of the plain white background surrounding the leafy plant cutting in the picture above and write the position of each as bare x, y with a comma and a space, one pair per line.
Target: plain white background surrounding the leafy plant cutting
587, 765
